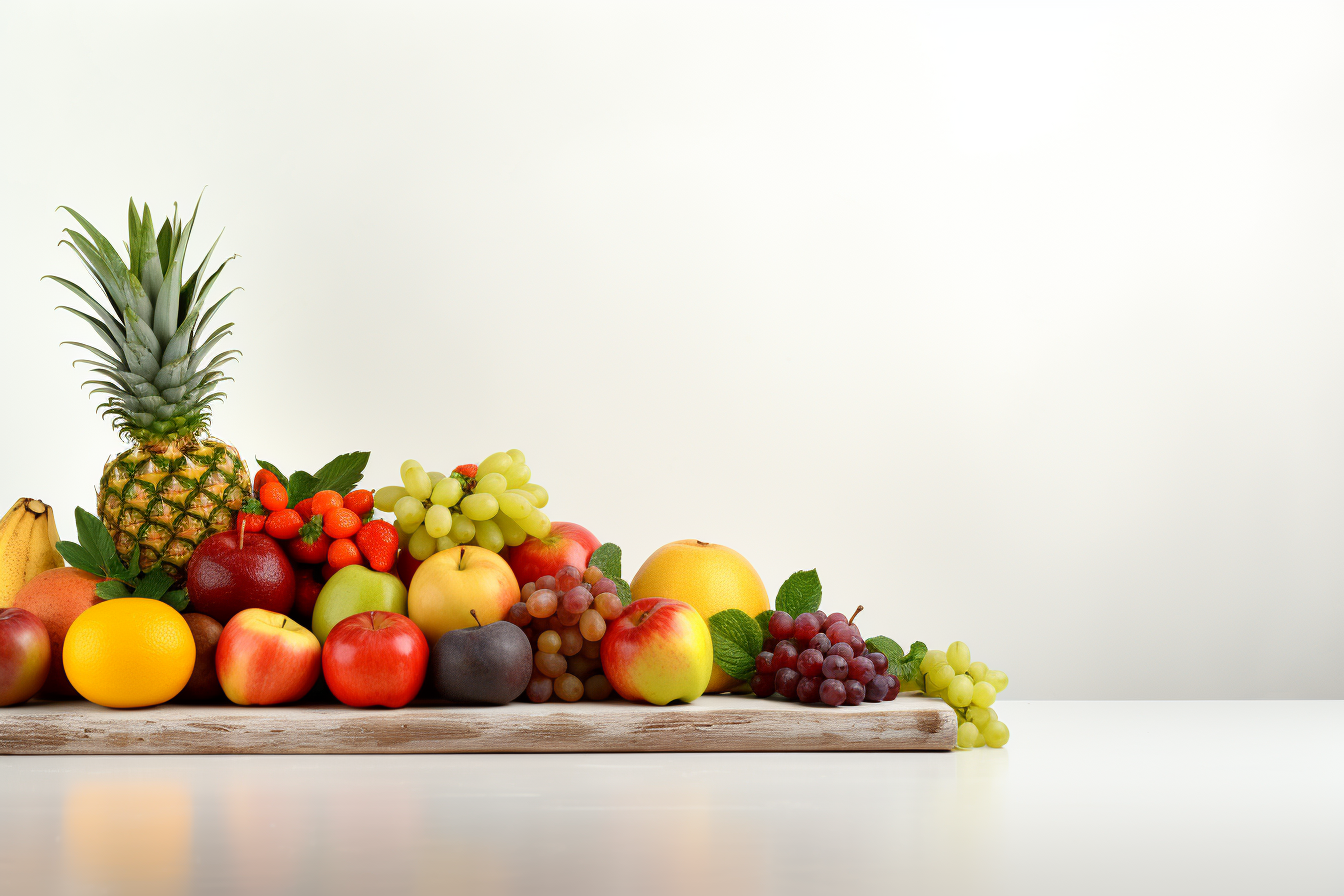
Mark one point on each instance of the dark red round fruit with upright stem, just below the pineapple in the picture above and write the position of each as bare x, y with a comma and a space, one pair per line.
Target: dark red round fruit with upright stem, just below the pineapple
224, 580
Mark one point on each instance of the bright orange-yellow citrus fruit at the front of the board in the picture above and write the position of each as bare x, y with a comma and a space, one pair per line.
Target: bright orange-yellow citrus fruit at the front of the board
130, 652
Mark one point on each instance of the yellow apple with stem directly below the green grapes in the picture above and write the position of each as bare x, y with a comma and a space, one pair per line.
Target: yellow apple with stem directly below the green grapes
452, 584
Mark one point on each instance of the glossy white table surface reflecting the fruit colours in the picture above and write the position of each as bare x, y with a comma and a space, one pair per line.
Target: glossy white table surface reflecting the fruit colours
1087, 799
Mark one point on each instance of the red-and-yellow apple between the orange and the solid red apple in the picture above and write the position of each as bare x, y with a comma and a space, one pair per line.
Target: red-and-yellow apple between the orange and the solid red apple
265, 658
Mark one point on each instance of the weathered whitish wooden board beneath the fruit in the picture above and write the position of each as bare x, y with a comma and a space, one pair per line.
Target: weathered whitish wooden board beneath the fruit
710, 725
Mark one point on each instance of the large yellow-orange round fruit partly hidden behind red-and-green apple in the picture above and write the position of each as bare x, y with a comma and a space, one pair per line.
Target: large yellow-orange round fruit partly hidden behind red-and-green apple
710, 578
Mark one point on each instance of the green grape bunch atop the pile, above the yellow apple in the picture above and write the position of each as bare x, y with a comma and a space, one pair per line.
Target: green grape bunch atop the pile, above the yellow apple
489, 504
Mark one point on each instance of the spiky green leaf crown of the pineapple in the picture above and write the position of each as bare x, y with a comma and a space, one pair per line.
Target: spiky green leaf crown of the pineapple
159, 385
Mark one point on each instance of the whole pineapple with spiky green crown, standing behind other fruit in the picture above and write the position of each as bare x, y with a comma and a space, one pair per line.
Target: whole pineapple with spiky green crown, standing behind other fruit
175, 486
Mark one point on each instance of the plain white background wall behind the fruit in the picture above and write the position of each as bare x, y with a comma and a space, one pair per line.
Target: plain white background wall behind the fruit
1021, 322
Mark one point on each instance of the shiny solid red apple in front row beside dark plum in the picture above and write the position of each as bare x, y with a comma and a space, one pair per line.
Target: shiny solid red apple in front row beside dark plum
376, 660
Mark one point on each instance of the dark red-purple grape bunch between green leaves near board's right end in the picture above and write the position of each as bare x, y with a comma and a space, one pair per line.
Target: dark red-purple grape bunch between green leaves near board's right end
825, 659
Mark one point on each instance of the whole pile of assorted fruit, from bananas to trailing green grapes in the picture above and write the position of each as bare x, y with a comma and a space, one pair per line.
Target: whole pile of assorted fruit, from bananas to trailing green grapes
196, 581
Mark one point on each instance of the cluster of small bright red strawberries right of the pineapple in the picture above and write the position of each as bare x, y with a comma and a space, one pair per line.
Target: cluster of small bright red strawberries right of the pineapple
321, 535
